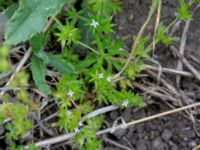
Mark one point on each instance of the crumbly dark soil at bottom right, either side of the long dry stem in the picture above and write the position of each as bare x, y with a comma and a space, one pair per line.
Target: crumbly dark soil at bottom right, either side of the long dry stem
172, 132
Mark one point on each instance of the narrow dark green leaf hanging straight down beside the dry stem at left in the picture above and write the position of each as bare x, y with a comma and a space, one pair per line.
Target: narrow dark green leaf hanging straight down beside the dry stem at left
38, 69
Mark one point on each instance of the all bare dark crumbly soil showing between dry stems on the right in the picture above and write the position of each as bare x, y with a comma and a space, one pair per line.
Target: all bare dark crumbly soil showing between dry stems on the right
173, 132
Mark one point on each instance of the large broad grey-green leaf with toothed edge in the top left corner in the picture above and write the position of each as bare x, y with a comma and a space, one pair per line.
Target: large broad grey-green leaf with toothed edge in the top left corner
30, 19
